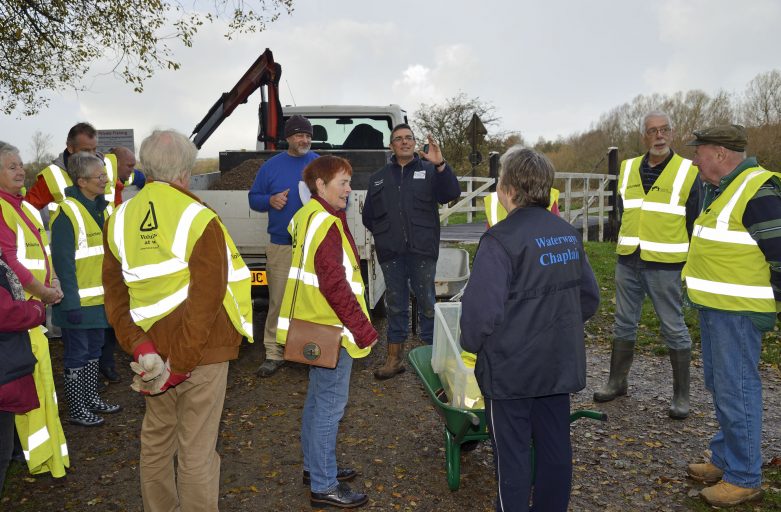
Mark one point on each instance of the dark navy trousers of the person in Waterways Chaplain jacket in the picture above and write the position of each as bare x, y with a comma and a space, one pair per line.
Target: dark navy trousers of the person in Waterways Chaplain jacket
512, 425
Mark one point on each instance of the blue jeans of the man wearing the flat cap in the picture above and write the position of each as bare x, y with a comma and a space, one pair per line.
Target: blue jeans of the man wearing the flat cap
731, 346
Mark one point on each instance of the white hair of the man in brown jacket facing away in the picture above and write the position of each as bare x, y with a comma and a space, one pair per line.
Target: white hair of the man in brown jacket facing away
167, 155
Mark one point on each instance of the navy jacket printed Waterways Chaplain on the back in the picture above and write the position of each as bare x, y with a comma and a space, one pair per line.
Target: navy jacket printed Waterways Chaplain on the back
530, 291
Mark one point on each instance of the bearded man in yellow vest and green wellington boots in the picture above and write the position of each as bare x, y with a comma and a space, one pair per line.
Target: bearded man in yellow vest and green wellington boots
660, 196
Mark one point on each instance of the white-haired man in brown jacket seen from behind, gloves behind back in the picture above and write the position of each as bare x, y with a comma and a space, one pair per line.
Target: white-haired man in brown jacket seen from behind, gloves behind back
178, 296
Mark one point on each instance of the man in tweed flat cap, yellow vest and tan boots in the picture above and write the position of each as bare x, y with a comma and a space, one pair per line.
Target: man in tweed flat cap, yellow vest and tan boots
733, 277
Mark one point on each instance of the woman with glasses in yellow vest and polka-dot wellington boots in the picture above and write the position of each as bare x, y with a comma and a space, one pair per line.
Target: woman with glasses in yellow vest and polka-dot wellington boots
77, 253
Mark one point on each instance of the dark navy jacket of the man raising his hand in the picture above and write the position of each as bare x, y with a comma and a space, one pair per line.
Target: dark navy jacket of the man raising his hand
401, 207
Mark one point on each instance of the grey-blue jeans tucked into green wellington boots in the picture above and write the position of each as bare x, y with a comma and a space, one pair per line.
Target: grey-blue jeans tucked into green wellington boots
664, 289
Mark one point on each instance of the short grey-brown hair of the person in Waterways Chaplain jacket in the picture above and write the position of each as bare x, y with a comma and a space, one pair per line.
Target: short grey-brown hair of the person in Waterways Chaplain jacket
529, 173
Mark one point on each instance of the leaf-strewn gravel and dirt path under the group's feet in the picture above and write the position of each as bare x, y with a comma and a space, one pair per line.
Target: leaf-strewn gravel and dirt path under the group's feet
391, 433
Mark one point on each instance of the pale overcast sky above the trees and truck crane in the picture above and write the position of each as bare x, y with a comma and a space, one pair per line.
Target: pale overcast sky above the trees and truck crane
549, 67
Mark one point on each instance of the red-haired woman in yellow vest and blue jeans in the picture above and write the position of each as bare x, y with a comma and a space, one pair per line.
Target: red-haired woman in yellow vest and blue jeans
325, 287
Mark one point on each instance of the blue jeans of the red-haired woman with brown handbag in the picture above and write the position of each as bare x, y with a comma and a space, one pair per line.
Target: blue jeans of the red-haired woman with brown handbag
326, 399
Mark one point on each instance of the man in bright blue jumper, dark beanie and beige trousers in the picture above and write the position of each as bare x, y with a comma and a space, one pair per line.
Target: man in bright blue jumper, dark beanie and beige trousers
275, 191
